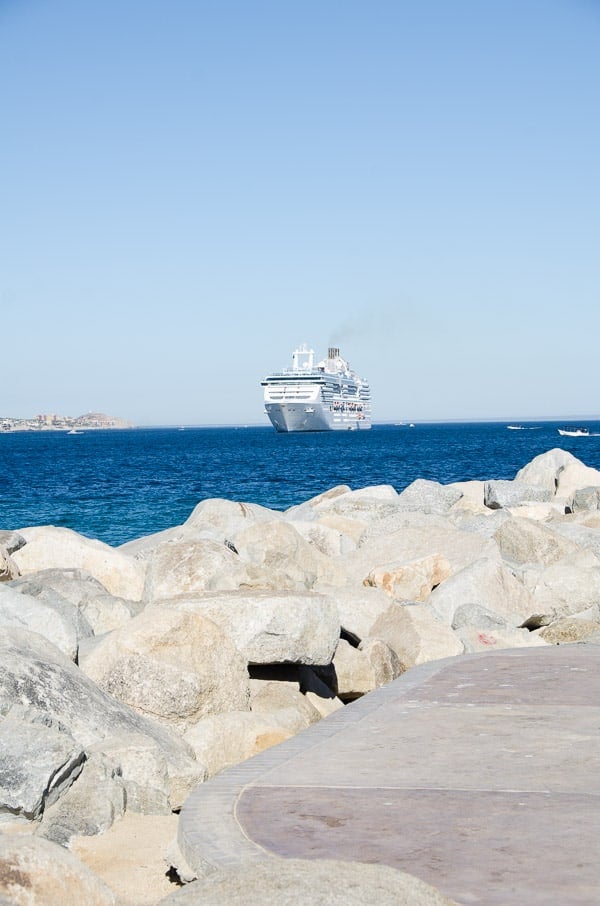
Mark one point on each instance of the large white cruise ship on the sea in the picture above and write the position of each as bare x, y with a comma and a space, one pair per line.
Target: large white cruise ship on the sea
323, 397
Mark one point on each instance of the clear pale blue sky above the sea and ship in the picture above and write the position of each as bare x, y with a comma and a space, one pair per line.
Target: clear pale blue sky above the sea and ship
191, 188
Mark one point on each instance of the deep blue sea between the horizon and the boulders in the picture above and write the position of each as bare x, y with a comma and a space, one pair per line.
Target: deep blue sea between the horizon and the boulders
120, 485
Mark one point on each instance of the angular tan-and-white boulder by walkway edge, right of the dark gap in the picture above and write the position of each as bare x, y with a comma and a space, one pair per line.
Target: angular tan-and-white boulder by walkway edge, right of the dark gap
416, 634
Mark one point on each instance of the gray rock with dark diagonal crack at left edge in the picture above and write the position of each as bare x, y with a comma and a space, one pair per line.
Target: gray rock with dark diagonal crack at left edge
37, 764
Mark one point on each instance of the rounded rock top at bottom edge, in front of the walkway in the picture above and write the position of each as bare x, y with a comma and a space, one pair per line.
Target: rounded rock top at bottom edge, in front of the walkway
287, 882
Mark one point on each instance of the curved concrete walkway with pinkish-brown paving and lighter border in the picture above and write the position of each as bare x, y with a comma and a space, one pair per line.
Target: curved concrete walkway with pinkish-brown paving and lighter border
479, 774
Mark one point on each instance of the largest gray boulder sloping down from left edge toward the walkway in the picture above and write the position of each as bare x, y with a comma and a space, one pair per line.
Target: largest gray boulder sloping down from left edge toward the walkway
39, 684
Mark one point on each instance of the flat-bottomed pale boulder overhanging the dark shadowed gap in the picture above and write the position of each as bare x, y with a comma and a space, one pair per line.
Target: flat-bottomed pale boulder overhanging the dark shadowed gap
268, 627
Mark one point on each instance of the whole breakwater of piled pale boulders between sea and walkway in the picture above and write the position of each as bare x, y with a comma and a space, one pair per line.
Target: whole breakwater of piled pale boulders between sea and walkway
131, 674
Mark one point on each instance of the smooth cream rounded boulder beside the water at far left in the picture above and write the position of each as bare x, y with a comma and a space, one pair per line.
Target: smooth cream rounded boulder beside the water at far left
49, 547
